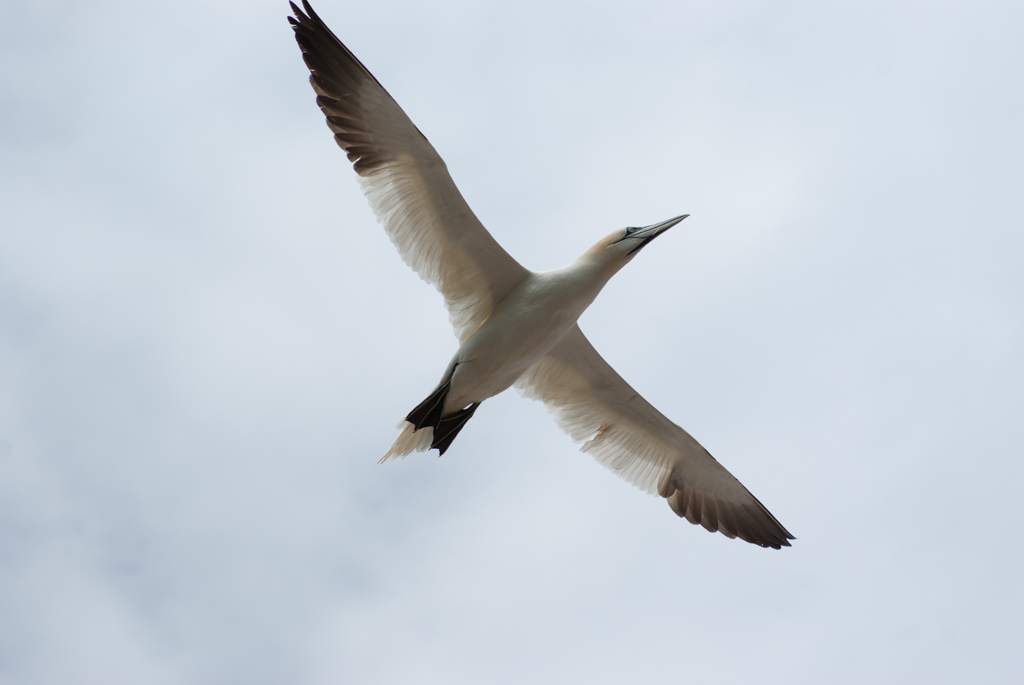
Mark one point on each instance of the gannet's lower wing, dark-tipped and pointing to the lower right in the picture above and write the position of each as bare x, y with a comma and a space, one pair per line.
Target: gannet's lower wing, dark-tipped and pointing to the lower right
623, 432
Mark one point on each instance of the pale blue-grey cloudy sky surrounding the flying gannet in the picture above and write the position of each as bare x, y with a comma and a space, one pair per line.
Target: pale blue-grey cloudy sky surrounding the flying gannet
206, 342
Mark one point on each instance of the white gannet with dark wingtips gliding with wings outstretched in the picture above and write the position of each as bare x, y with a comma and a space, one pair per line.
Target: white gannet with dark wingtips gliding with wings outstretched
516, 327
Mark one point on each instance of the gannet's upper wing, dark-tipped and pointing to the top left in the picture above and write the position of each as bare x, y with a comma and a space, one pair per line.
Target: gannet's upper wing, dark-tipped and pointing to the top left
406, 182
